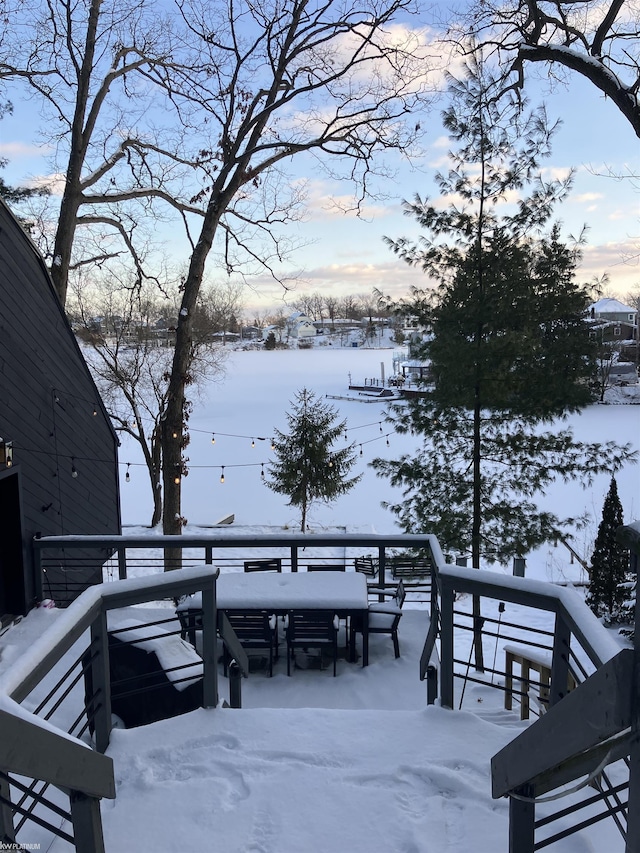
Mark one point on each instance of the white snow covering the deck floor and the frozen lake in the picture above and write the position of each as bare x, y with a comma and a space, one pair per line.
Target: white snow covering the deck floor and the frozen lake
356, 763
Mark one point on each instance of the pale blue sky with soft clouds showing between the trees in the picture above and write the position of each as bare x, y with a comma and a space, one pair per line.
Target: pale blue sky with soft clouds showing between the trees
341, 254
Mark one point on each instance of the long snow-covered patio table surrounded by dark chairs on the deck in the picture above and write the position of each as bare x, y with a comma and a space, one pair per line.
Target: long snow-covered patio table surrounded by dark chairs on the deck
344, 593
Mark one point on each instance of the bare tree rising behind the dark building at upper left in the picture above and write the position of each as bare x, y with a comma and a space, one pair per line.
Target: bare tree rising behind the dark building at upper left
95, 70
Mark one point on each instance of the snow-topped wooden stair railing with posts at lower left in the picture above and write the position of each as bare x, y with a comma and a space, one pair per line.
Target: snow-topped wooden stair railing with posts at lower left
36, 748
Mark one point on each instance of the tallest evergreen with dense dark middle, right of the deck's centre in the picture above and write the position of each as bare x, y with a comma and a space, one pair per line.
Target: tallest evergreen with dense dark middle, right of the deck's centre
509, 350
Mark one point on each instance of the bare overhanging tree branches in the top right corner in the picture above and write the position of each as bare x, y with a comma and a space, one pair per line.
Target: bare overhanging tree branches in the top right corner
601, 42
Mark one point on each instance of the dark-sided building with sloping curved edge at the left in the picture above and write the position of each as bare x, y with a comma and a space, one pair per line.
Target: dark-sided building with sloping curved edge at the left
58, 450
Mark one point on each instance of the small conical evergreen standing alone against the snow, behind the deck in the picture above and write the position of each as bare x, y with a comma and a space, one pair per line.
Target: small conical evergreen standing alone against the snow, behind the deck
307, 469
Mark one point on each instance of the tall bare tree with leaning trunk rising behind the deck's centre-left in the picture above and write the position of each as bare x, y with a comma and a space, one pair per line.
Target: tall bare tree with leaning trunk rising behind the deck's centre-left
330, 81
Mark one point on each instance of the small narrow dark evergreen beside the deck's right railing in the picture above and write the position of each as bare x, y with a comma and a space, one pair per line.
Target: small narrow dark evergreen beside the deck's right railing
609, 562
